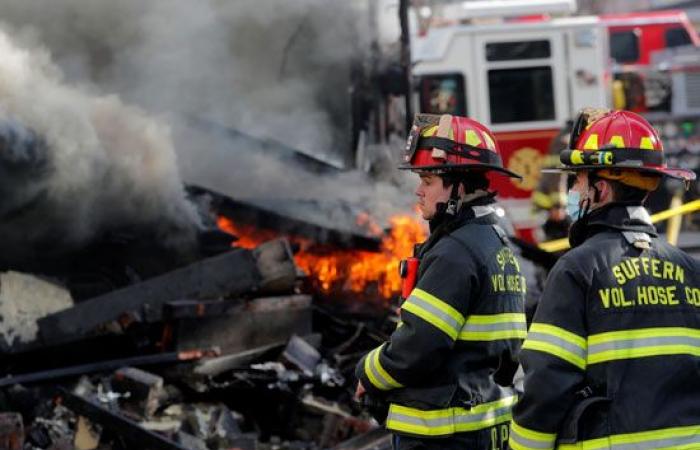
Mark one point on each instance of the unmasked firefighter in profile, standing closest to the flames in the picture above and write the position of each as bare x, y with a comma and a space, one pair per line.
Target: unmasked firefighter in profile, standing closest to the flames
446, 372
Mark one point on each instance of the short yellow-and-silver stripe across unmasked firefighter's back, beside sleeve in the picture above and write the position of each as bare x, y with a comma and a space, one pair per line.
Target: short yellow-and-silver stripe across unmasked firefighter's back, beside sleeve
494, 327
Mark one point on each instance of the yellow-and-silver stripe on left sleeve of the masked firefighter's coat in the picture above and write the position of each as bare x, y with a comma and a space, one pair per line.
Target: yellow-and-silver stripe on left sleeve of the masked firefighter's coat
557, 342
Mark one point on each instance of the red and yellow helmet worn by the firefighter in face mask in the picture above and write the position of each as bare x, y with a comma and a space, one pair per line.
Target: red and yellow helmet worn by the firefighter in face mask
621, 145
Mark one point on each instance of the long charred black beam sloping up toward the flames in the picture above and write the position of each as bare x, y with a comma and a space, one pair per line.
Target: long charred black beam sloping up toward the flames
229, 274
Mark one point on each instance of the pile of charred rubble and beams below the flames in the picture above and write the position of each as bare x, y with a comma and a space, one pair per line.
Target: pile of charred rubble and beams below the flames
227, 352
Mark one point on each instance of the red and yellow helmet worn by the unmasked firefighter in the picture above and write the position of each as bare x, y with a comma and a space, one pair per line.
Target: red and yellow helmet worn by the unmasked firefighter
446, 143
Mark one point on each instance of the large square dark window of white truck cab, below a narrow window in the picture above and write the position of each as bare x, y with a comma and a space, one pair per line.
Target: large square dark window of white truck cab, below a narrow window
521, 95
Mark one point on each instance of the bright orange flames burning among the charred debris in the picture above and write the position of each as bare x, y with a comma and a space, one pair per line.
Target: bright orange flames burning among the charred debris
357, 271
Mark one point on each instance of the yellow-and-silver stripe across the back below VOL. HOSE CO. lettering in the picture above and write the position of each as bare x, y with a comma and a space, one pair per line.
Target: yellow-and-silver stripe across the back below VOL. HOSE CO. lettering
643, 342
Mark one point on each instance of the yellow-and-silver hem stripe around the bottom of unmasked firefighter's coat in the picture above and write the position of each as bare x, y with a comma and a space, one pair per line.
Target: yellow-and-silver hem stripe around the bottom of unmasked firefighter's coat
448, 421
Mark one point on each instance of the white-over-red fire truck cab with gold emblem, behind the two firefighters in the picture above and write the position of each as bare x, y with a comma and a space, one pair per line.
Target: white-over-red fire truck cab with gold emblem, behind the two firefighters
523, 80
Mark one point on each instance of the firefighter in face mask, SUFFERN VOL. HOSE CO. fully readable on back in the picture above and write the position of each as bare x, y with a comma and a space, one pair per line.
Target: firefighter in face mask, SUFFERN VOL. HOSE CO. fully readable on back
611, 358
